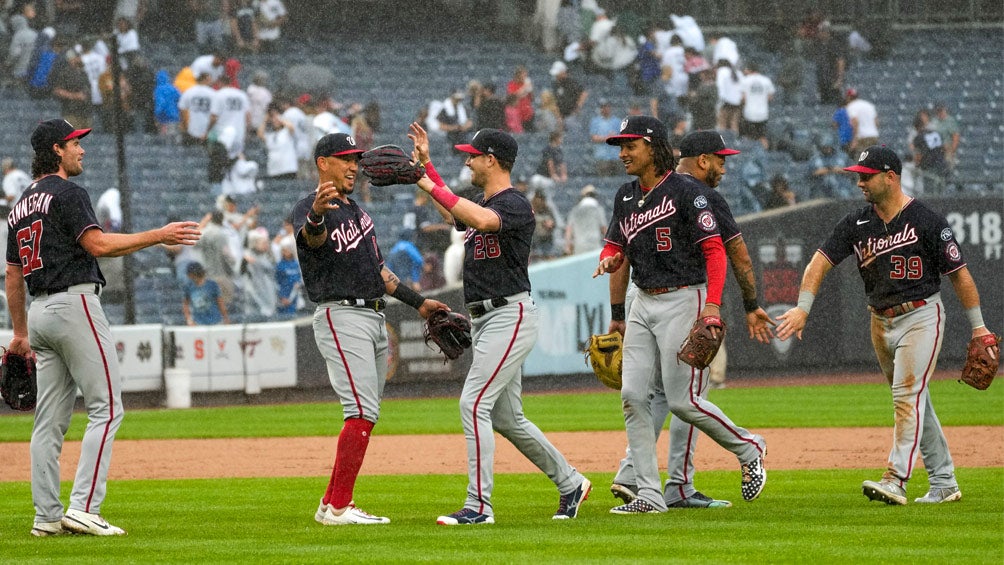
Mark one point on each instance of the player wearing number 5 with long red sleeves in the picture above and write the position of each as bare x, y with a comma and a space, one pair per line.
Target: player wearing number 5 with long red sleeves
665, 236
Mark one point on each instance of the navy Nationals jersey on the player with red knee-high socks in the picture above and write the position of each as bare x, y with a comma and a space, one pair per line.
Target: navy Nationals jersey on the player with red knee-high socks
349, 263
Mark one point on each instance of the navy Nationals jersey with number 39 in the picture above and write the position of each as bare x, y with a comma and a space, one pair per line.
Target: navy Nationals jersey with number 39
901, 261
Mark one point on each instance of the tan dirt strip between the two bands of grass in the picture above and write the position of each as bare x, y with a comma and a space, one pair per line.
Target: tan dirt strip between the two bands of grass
597, 452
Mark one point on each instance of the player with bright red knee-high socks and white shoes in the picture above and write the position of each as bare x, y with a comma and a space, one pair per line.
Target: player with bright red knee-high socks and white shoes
345, 274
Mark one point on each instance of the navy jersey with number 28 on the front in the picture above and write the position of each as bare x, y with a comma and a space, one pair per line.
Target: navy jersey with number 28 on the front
495, 264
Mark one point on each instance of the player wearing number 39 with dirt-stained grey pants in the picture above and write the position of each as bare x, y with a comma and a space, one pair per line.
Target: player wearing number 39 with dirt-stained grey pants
902, 248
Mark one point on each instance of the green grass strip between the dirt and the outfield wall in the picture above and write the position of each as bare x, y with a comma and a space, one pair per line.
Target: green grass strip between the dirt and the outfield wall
792, 407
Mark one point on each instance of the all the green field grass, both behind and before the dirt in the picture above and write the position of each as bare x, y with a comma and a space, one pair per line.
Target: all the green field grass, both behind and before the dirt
804, 516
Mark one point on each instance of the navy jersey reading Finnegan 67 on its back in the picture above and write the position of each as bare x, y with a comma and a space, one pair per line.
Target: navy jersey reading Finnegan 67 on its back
44, 228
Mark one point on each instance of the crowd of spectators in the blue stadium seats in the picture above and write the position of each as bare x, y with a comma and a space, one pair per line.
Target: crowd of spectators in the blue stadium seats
690, 81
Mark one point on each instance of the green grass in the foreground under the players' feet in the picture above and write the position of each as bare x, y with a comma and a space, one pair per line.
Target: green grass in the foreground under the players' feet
803, 517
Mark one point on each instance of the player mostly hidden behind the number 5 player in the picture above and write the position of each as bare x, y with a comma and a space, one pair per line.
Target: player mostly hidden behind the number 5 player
702, 156
